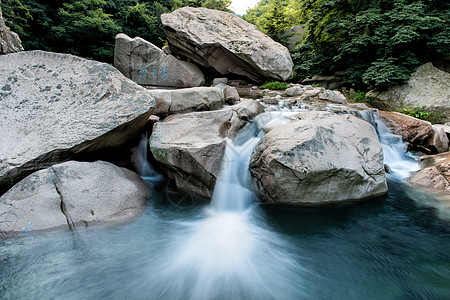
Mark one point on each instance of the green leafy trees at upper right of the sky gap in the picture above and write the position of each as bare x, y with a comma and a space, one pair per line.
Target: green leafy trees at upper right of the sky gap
377, 43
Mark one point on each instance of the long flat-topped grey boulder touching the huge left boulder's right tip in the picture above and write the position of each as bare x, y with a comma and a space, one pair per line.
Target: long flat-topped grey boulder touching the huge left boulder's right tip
187, 100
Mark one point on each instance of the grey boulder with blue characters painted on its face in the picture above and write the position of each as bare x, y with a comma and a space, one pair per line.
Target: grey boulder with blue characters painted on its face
146, 64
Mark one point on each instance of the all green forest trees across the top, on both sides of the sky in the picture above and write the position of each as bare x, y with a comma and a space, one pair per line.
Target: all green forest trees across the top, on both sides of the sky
376, 43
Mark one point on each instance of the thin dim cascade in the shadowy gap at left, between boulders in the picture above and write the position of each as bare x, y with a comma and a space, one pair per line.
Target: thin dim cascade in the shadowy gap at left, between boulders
141, 163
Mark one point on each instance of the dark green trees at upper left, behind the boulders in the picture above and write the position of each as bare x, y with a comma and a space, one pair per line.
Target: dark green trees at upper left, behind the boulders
88, 27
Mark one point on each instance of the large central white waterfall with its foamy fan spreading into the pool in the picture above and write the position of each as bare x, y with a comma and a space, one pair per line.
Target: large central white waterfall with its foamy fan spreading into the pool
228, 253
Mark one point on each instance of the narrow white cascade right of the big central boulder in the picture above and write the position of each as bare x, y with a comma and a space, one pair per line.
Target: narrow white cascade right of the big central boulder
400, 162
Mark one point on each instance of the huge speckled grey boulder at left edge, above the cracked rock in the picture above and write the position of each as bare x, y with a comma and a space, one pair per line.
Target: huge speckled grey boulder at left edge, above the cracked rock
56, 107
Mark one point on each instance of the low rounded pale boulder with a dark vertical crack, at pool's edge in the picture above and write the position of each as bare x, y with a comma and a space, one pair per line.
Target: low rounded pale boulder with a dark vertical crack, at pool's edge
74, 195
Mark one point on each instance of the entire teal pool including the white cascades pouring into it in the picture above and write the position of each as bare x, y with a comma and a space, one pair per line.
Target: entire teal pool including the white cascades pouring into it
236, 248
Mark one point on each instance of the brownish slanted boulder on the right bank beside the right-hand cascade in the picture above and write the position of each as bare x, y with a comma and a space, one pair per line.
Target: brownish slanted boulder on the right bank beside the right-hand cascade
412, 130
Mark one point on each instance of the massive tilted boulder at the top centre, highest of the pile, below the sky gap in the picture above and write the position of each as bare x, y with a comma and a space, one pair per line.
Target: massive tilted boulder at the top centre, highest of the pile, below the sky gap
226, 43
